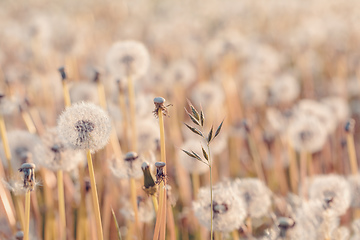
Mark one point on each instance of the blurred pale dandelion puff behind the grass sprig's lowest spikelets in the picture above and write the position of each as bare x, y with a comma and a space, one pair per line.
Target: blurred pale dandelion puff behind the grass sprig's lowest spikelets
190, 164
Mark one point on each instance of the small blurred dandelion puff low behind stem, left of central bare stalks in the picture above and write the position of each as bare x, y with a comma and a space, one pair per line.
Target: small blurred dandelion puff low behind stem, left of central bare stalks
145, 210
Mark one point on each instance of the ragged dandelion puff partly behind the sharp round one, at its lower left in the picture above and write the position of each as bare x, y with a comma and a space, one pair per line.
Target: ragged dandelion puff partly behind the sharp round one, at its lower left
54, 154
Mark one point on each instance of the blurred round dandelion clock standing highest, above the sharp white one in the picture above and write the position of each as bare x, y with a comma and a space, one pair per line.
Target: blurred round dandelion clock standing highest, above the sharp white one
127, 59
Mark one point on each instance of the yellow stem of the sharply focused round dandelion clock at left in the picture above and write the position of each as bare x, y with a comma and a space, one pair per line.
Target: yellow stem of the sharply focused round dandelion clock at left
94, 196
